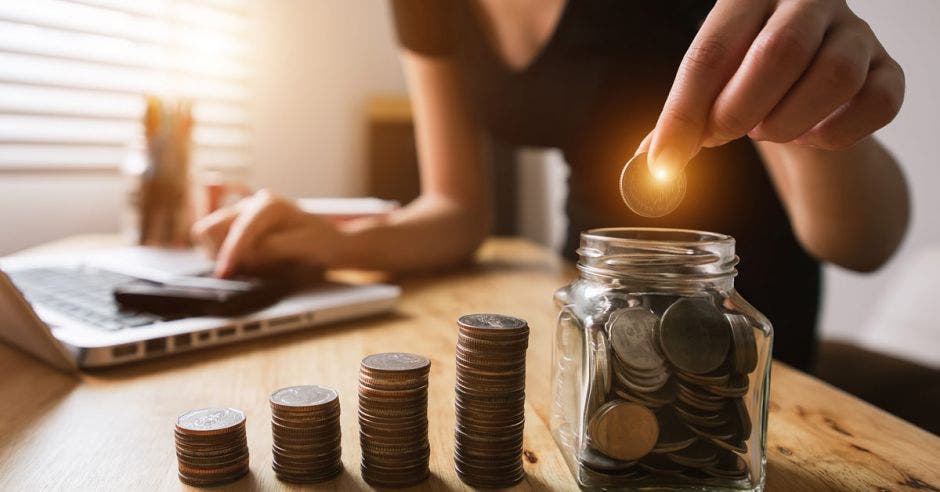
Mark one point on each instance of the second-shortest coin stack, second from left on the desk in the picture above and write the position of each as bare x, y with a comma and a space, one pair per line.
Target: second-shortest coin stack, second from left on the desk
306, 434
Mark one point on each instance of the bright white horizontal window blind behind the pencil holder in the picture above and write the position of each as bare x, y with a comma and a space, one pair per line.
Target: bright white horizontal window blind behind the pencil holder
73, 75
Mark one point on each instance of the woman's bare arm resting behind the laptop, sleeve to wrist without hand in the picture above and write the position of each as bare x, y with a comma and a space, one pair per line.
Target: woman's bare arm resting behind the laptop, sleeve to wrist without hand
451, 217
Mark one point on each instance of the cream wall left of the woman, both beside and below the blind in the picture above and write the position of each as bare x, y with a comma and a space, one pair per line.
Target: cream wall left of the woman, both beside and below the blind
315, 64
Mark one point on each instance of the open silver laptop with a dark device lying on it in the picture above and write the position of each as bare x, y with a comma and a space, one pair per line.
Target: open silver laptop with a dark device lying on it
60, 308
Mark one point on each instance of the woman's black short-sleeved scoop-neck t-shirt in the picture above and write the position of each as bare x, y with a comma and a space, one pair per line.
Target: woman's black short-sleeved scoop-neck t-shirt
594, 91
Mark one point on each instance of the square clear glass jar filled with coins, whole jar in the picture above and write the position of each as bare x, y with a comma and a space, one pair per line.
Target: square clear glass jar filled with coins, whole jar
661, 369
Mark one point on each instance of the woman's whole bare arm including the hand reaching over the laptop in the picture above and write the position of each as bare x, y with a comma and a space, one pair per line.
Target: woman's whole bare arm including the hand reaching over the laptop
443, 226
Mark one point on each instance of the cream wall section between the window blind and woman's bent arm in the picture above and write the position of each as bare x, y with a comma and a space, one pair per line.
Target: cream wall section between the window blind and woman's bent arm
318, 64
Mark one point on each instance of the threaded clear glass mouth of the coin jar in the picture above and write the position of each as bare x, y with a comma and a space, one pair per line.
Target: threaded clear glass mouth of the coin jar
657, 254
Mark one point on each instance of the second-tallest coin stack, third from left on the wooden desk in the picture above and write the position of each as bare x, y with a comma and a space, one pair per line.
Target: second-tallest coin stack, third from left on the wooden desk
393, 419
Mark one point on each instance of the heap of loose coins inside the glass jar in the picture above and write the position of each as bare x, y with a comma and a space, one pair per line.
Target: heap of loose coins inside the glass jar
674, 403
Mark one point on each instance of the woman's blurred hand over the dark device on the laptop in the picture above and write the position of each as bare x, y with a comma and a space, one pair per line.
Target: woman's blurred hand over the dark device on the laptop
264, 233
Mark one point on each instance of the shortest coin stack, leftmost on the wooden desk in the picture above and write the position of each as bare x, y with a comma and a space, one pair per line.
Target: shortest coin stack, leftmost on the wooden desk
211, 446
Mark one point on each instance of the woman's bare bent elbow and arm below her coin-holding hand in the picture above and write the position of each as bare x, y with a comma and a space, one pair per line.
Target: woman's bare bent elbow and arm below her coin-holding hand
850, 207
